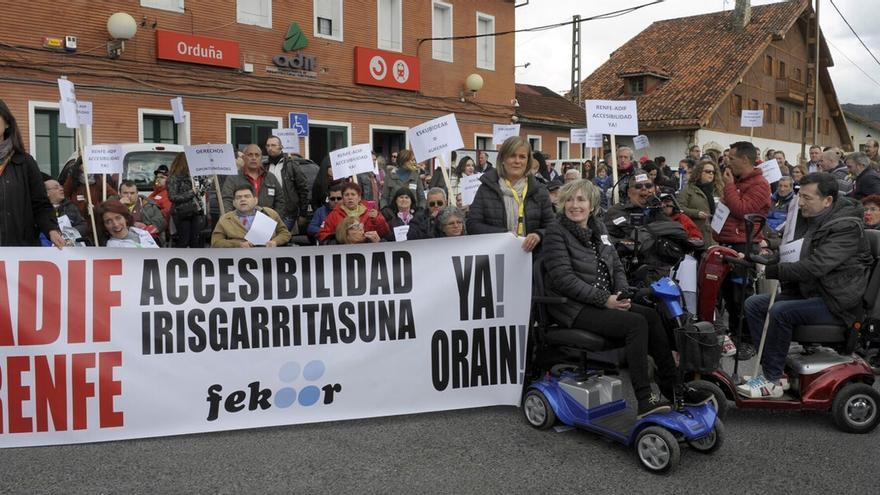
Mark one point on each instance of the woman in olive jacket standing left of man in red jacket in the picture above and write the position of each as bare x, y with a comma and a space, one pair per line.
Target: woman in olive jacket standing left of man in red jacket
697, 199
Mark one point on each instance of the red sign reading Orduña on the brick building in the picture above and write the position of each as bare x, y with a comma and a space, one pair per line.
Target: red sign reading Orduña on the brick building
197, 49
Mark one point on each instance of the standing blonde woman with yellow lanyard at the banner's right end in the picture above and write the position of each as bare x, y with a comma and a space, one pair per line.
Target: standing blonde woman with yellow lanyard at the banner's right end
511, 200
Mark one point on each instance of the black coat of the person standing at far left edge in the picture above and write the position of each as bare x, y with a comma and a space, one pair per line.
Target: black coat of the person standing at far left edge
25, 210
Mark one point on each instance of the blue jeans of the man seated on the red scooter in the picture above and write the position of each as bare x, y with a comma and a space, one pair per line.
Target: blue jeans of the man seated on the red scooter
787, 313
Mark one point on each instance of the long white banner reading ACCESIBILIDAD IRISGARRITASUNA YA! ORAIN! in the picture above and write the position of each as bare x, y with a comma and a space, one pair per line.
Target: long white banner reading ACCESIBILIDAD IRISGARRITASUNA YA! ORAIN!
102, 344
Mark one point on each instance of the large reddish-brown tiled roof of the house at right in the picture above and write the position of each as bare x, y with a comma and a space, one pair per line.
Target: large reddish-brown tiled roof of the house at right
703, 58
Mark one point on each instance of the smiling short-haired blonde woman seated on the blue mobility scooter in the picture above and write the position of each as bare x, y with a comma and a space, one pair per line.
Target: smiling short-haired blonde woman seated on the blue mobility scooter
586, 270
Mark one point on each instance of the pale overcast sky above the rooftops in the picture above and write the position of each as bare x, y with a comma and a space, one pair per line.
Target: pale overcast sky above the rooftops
549, 52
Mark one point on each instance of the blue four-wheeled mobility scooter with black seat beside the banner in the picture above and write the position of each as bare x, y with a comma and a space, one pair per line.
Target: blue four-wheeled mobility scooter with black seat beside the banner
578, 396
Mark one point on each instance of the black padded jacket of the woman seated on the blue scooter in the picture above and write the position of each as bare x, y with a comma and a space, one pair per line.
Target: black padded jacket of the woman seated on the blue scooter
571, 271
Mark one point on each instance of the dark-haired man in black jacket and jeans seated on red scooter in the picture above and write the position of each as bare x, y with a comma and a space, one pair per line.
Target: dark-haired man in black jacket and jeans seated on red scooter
824, 286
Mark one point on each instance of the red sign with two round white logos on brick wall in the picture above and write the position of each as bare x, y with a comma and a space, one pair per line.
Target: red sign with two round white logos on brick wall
386, 69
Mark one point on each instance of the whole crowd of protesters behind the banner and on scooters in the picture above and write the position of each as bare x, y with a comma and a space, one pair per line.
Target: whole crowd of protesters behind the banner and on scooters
568, 217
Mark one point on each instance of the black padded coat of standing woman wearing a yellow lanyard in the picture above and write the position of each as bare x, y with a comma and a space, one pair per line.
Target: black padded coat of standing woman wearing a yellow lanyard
486, 214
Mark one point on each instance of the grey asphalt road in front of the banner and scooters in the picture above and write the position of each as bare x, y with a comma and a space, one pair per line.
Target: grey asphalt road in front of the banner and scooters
487, 450
